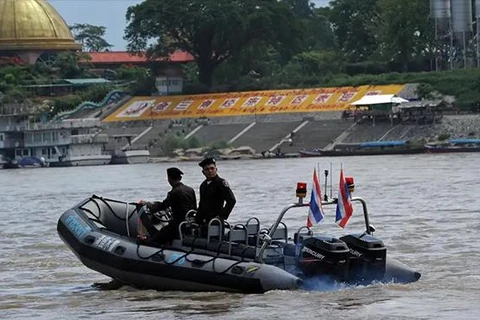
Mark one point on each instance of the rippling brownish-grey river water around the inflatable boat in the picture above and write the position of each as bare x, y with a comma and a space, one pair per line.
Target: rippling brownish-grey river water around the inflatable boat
425, 208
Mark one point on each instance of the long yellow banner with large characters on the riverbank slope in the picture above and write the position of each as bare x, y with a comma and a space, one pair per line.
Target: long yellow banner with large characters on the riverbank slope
245, 103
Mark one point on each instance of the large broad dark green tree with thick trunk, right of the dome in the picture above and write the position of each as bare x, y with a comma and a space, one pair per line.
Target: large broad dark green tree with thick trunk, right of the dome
213, 31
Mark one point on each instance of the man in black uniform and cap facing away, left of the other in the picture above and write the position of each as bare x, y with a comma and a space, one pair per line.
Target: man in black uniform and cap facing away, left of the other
180, 199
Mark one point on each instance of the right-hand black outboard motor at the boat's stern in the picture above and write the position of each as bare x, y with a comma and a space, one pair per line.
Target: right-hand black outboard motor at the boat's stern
368, 256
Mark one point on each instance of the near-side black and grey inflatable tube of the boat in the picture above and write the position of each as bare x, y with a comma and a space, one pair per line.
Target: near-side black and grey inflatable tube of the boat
145, 270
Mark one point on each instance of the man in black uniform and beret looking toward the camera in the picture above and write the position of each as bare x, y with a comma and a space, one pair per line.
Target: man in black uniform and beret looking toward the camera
216, 198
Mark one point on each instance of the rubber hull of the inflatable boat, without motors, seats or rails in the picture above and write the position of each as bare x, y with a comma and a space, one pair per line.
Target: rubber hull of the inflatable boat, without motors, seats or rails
189, 266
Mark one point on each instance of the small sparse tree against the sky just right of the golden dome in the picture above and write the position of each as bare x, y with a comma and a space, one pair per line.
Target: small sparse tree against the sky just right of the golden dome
91, 37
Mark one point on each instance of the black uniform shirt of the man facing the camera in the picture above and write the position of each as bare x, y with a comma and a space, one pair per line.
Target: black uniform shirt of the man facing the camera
216, 199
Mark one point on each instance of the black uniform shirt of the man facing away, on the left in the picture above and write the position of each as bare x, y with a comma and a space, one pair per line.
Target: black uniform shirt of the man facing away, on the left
181, 199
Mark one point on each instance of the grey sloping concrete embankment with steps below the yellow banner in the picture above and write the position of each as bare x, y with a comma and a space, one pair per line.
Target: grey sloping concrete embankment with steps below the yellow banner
293, 132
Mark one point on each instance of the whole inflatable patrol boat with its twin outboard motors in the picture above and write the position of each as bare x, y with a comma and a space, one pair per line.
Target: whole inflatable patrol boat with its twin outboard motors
247, 258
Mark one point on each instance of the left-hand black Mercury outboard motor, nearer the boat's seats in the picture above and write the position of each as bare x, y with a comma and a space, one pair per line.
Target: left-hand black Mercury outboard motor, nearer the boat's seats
321, 255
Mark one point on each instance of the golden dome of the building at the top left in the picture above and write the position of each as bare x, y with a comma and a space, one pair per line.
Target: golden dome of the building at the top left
33, 25
